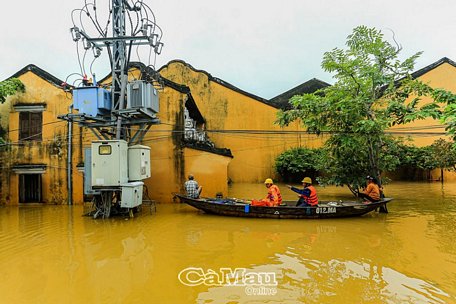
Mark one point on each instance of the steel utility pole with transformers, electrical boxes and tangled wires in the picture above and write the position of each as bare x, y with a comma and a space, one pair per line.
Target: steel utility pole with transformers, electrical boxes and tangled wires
117, 121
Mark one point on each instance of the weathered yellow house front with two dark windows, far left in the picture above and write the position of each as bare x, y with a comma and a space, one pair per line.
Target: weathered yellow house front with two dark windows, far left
34, 161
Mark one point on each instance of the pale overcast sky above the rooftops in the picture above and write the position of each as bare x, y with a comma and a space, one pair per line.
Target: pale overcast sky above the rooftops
262, 47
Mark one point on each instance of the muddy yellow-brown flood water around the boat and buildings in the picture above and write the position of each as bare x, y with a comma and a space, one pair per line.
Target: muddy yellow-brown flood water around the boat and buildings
52, 254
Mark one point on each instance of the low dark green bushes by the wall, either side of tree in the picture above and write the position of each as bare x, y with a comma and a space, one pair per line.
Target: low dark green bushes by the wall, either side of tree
320, 164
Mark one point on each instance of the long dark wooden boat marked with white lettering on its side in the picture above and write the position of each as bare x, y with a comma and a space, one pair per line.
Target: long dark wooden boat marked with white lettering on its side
325, 209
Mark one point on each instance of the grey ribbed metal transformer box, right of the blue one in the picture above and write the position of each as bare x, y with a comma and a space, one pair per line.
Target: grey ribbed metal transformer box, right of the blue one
142, 95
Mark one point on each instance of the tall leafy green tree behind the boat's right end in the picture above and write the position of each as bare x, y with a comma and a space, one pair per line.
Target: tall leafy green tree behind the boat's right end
369, 95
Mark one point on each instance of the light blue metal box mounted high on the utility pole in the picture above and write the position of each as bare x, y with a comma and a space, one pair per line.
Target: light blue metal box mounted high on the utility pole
92, 101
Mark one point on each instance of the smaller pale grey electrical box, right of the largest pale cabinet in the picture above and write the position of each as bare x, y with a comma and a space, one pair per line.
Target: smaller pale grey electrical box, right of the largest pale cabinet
138, 162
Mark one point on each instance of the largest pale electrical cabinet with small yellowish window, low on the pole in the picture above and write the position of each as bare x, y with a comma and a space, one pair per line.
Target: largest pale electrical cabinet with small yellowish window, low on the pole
109, 163
